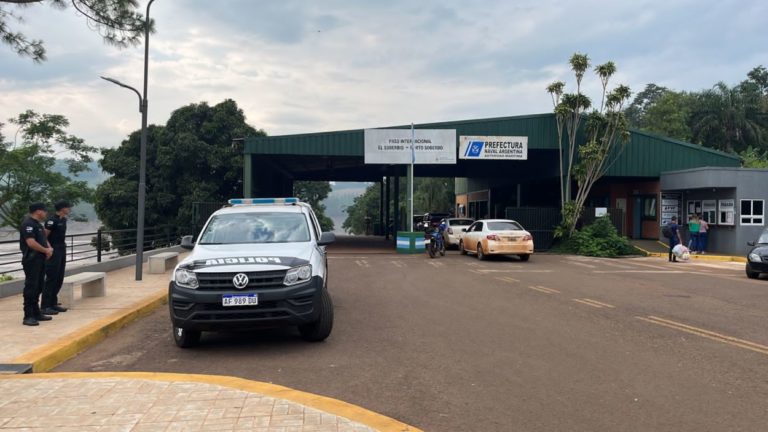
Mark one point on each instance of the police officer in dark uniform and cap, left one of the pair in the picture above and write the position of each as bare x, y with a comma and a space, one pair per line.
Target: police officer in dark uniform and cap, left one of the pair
35, 250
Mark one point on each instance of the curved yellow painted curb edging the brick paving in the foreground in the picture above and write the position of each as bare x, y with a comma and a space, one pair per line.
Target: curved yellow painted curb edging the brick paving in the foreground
322, 403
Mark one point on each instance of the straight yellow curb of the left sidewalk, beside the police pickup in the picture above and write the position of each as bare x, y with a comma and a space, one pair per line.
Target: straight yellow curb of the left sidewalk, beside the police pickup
54, 353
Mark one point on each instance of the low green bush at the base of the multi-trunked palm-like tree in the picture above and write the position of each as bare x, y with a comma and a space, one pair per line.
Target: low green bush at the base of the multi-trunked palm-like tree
600, 239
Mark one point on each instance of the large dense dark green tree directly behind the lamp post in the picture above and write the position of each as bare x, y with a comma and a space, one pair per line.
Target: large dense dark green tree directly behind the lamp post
190, 159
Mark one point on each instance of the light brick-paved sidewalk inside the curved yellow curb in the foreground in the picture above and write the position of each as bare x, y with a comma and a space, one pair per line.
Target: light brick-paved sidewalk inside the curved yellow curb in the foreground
102, 404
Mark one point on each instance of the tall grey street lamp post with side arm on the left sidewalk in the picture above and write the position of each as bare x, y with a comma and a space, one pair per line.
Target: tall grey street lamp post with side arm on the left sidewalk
143, 149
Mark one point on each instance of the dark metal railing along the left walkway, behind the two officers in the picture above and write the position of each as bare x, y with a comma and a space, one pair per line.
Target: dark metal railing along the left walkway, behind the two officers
99, 245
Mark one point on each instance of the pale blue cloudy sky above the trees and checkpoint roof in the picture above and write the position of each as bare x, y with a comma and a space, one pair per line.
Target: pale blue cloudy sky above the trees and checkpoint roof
304, 66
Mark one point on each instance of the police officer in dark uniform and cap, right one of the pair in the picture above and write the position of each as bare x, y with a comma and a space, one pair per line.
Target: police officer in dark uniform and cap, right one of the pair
55, 231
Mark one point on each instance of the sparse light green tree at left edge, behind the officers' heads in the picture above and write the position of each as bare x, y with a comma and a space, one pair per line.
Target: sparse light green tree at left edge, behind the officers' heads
27, 165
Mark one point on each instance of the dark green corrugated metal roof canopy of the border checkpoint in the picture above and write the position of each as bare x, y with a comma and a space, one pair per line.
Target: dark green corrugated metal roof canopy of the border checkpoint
339, 155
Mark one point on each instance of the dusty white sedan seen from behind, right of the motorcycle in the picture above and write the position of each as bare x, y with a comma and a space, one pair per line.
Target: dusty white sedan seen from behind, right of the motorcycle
497, 237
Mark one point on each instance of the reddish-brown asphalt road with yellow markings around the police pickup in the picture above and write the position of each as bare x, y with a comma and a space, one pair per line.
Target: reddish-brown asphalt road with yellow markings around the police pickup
555, 344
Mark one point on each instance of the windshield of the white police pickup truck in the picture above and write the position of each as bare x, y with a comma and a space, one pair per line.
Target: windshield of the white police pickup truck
256, 228
